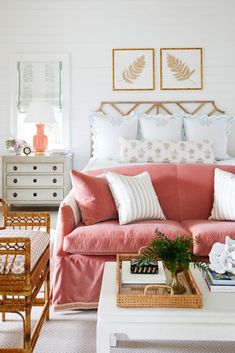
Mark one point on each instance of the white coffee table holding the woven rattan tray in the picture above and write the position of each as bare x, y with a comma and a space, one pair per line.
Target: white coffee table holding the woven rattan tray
214, 322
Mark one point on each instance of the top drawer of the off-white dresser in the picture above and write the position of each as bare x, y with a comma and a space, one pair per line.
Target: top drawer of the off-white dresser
35, 168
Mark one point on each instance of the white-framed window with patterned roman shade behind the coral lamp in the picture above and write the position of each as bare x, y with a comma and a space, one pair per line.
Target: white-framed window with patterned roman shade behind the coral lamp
40, 77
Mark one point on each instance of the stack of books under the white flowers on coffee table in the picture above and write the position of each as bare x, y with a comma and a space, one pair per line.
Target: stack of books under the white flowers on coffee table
217, 282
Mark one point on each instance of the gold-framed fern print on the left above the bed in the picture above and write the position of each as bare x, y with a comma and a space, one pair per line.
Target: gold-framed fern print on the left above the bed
133, 69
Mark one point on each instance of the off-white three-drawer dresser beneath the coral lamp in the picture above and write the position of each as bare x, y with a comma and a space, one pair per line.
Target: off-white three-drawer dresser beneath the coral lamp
36, 180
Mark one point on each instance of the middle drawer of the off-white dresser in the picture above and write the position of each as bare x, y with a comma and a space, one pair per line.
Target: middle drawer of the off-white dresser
35, 180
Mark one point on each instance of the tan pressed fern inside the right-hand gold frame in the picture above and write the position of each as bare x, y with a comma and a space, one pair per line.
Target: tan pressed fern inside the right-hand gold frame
180, 70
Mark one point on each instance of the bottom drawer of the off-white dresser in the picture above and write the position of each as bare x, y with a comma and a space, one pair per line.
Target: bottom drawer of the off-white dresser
35, 194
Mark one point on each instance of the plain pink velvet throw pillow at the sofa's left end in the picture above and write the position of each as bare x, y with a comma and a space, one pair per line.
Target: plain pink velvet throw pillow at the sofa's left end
93, 197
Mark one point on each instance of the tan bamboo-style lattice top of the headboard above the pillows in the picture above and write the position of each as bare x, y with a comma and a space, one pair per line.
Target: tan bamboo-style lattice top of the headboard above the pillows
166, 107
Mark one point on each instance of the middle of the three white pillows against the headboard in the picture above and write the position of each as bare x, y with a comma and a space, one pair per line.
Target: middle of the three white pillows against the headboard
161, 127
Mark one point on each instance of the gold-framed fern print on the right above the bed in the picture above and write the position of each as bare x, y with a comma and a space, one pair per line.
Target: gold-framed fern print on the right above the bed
181, 68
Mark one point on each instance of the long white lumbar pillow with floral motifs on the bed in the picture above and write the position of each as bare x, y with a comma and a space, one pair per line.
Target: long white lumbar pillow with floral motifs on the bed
169, 151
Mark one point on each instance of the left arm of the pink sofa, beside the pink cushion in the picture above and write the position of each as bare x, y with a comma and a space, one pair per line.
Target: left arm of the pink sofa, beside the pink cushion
69, 216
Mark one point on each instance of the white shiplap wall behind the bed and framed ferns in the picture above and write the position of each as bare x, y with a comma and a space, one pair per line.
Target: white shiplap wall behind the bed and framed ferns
89, 29
